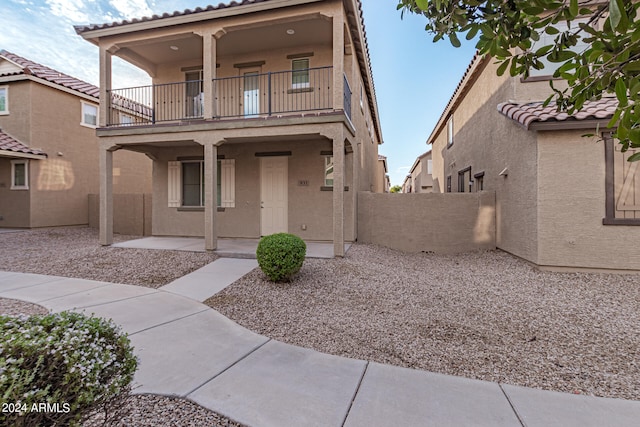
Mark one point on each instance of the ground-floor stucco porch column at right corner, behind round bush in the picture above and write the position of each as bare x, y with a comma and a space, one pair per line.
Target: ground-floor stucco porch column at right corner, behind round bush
338, 193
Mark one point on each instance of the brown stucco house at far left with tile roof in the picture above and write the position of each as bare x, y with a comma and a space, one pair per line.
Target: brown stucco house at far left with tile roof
49, 150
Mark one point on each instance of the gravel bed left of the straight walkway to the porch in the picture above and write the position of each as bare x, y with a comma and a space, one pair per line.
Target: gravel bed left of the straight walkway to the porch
75, 252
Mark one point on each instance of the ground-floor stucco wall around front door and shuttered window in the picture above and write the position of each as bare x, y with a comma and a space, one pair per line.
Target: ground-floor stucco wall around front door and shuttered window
308, 205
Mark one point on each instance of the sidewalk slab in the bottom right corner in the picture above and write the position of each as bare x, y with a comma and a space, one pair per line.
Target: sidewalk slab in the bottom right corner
541, 408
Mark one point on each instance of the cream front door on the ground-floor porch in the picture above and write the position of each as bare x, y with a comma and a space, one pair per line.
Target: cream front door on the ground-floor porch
273, 195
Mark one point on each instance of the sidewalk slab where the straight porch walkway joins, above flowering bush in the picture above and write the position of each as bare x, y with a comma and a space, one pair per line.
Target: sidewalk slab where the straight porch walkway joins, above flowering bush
146, 311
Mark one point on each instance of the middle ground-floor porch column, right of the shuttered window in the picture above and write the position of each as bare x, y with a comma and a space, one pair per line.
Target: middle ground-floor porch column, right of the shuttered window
210, 196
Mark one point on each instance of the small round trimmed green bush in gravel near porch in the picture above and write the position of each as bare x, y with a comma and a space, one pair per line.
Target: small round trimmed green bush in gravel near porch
280, 256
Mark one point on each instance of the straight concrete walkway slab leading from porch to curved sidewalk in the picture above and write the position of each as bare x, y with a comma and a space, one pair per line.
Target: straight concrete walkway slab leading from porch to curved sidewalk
211, 279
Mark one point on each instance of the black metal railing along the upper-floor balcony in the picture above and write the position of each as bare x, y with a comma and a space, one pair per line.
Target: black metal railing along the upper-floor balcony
249, 96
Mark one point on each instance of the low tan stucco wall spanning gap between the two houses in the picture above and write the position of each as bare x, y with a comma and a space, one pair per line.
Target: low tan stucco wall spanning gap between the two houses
440, 223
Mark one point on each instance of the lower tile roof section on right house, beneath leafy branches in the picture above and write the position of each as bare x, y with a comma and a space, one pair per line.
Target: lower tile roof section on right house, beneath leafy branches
535, 112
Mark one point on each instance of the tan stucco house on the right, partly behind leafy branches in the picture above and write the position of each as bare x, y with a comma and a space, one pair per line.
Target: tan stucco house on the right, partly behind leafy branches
562, 199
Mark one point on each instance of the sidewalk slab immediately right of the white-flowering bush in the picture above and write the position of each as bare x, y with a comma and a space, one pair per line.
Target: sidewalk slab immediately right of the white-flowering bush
180, 356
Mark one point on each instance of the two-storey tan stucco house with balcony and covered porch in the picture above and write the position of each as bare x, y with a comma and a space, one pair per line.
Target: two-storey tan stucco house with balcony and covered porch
261, 118
